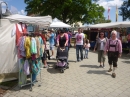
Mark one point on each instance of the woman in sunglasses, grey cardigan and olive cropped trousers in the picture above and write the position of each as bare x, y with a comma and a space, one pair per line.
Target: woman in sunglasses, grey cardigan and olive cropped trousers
100, 44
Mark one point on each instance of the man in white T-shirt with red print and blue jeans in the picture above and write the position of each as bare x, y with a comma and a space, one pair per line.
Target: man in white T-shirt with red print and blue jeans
79, 42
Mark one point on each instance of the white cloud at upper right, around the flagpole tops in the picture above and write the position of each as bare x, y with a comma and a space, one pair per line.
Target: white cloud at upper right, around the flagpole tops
110, 3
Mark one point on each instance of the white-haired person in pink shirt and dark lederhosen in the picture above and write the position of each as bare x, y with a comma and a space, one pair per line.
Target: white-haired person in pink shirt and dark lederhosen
114, 48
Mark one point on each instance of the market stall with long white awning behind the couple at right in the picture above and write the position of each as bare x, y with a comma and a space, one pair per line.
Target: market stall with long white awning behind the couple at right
107, 28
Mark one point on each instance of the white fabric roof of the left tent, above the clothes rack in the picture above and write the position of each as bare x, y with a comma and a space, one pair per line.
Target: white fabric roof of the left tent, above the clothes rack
43, 20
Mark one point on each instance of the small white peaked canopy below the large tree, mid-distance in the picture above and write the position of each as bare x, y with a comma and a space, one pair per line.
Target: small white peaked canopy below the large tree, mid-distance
58, 24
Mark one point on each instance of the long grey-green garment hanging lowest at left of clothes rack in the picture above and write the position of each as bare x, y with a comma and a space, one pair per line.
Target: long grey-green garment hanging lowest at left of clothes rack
22, 75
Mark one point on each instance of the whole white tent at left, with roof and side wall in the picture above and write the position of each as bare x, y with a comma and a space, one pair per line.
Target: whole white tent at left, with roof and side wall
8, 49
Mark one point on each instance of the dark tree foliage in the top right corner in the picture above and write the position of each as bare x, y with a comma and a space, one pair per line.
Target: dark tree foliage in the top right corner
124, 10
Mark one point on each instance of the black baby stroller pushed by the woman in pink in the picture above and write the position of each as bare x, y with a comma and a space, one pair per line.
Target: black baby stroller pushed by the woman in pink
62, 57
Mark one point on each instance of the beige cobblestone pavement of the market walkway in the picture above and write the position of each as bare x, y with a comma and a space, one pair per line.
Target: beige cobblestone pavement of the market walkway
82, 79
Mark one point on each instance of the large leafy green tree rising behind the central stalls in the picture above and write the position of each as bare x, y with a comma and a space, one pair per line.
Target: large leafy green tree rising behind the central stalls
69, 11
